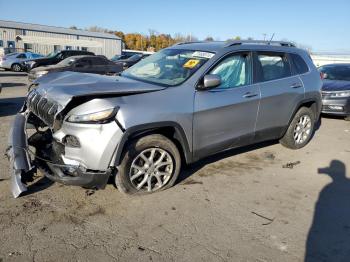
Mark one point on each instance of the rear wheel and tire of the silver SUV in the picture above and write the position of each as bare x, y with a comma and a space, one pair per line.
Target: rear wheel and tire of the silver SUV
300, 130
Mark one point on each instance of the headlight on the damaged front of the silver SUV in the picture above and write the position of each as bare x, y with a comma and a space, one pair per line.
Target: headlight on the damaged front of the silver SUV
96, 117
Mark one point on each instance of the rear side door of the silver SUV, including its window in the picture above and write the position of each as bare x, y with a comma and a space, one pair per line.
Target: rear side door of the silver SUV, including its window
280, 90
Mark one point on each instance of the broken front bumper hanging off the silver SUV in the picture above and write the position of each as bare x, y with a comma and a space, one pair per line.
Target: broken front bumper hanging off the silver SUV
22, 167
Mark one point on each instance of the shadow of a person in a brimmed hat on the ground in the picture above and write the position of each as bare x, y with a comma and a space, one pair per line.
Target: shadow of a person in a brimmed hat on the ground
329, 235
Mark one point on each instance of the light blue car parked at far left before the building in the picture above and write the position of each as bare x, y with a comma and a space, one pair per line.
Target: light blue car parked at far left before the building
14, 61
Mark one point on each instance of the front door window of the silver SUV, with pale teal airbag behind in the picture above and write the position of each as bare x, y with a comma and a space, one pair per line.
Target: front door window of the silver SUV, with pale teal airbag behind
233, 71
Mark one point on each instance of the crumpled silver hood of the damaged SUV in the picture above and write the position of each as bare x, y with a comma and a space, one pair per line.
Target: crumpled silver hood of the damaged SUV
61, 87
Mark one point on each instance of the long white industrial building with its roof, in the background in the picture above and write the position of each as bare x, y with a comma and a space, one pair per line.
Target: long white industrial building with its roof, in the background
46, 39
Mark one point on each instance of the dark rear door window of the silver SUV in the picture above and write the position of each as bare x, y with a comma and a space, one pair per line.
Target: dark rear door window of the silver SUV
273, 66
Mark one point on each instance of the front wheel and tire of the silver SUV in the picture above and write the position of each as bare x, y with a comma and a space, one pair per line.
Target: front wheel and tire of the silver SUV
151, 163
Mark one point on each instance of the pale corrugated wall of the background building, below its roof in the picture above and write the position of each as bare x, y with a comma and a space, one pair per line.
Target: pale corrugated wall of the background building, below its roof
110, 47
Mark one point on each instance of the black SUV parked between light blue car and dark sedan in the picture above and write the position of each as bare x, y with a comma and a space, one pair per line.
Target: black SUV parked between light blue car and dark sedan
53, 58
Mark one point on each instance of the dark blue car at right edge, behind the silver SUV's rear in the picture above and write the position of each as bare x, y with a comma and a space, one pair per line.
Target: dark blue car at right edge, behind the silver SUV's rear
336, 89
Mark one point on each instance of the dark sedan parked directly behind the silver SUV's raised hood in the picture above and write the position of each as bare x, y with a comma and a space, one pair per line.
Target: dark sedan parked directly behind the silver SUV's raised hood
83, 64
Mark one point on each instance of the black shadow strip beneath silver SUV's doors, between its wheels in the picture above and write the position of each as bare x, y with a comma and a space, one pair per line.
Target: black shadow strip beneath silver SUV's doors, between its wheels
189, 170
